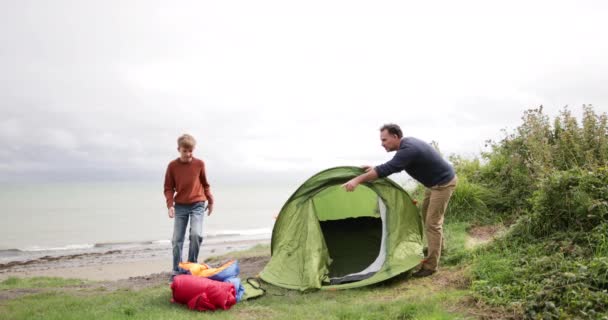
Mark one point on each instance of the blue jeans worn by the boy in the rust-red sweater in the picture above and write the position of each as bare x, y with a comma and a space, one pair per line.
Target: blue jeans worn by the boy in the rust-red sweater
183, 212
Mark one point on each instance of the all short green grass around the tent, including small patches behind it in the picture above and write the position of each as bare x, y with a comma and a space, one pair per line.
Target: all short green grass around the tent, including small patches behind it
398, 298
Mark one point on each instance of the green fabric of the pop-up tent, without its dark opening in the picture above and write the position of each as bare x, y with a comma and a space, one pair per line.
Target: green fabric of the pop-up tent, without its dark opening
300, 256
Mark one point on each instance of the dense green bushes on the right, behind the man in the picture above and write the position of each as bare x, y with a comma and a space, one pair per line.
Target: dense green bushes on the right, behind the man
553, 177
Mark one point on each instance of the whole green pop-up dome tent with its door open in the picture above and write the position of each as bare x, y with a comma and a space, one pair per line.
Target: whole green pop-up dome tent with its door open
327, 238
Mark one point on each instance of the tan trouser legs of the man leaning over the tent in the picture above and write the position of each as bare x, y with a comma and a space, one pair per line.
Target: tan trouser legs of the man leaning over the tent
438, 203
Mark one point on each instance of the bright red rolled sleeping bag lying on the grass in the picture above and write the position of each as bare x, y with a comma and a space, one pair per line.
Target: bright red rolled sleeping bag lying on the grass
202, 294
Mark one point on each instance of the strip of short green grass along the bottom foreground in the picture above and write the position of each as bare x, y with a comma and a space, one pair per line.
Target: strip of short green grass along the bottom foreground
399, 301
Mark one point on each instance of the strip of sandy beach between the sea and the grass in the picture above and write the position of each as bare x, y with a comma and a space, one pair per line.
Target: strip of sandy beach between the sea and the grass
114, 264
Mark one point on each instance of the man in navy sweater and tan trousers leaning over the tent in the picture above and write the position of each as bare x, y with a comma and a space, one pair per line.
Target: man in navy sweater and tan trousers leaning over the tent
423, 163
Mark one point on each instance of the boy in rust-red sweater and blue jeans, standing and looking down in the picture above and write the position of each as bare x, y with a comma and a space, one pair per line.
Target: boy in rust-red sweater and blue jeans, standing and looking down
188, 195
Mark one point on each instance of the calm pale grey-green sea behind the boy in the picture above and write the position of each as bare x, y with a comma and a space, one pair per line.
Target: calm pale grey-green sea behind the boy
48, 219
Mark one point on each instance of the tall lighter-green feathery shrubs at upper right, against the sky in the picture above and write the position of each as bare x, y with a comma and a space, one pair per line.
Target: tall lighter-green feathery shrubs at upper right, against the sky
516, 165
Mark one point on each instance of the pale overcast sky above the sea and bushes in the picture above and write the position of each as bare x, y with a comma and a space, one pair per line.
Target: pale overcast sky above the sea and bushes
98, 90
